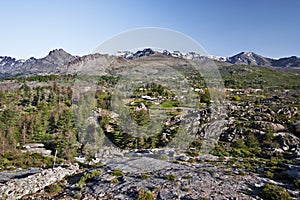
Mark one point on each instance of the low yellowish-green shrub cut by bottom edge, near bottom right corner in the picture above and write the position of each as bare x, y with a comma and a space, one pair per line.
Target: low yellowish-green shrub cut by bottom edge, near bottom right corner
274, 192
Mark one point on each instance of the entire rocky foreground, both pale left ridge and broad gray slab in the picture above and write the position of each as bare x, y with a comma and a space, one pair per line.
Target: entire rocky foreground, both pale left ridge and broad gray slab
125, 177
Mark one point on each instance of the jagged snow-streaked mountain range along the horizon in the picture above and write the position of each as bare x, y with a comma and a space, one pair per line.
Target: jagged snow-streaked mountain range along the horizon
59, 61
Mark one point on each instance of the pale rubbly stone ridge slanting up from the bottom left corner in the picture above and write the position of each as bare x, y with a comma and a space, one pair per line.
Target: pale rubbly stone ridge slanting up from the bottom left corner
17, 188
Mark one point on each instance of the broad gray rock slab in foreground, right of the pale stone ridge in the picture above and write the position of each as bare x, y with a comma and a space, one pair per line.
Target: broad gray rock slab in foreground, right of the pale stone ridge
191, 181
